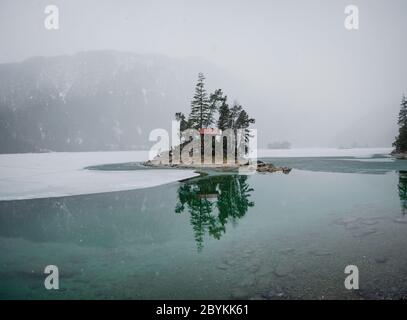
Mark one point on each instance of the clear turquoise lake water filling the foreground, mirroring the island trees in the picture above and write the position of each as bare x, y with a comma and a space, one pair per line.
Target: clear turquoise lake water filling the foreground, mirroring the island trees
222, 236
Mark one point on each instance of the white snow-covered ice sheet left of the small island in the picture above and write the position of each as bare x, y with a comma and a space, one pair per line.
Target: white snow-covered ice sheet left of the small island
43, 175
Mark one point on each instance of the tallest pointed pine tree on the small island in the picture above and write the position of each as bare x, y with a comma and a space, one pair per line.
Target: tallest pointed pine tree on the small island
200, 114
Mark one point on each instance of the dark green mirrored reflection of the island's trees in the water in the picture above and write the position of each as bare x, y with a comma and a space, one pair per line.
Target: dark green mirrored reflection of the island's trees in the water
212, 202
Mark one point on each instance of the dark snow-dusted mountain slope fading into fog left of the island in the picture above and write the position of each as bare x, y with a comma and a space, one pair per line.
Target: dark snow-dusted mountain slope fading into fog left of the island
100, 100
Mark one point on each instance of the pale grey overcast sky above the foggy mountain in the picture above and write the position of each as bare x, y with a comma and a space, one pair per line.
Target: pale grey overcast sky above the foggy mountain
326, 84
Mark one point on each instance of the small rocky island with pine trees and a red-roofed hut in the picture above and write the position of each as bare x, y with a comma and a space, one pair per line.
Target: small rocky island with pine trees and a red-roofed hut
214, 136
